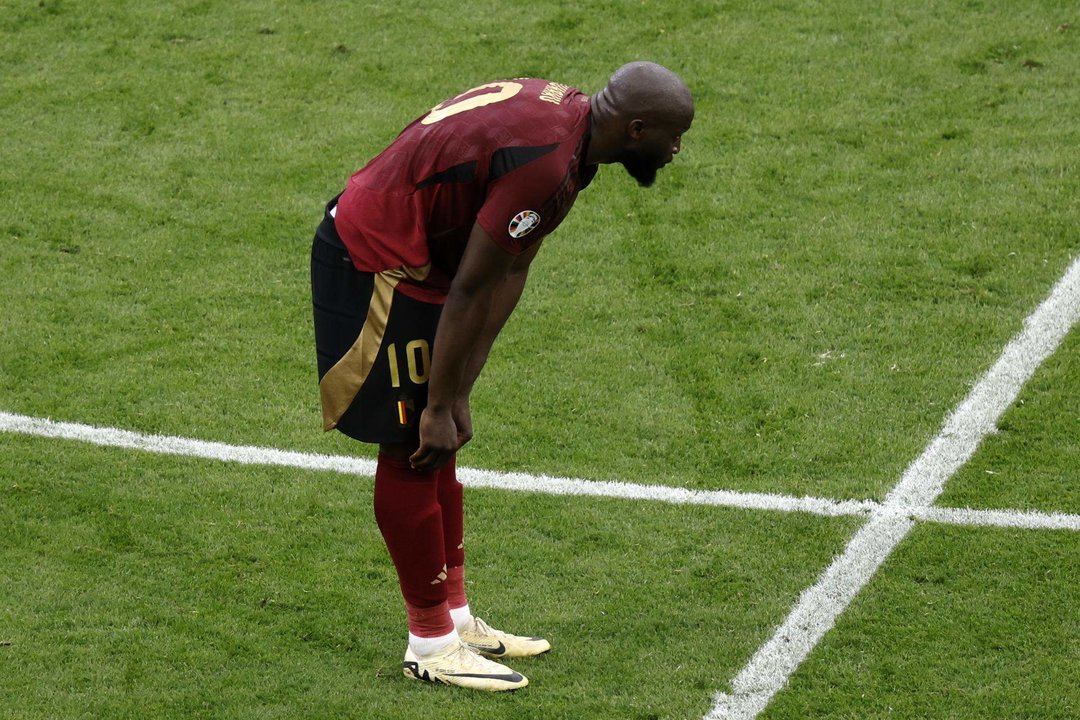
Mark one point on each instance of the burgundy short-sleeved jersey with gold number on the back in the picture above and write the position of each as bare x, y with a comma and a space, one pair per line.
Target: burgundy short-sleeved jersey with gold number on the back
506, 155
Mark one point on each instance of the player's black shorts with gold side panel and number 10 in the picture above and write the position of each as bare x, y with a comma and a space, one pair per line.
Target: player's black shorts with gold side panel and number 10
373, 344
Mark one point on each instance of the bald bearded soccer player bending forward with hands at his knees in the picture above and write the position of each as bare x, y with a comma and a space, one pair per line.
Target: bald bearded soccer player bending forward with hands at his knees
415, 269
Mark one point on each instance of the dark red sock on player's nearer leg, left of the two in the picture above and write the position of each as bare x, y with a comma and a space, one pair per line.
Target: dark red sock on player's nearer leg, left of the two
411, 521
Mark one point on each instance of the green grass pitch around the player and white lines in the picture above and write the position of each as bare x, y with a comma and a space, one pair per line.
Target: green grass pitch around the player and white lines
872, 201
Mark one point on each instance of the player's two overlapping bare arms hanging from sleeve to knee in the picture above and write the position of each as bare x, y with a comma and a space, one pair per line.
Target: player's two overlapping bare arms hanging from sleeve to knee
484, 293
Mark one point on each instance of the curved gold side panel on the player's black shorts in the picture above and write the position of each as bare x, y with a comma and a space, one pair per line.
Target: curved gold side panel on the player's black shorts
341, 385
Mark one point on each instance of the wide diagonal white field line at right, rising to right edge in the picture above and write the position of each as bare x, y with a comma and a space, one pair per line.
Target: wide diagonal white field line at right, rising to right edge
819, 607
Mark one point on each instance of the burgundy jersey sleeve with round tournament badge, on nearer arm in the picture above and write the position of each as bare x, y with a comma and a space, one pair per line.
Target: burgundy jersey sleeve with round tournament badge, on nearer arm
514, 212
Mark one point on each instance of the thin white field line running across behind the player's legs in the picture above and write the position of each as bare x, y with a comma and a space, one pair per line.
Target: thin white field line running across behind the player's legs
525, 483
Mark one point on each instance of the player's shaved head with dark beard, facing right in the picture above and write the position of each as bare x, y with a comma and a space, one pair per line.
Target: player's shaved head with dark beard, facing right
640, 118
